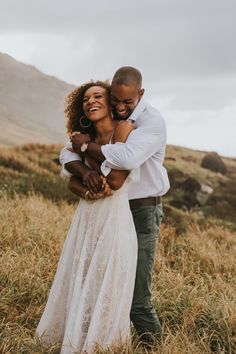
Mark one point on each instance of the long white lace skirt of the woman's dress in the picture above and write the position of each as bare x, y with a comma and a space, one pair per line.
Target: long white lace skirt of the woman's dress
90, 299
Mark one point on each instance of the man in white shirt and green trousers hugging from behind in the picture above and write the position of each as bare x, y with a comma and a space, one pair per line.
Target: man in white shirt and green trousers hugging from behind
144, 148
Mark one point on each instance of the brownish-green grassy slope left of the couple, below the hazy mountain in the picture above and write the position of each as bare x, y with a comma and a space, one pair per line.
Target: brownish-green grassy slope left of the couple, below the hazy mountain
33, 167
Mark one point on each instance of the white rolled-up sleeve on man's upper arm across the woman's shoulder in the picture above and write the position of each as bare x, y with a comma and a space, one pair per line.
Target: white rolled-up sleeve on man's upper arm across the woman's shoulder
141, 144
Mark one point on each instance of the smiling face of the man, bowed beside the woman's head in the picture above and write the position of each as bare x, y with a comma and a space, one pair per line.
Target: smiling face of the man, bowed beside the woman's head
124, 99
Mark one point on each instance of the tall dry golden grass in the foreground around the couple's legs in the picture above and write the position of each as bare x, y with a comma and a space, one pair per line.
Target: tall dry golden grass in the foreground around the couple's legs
194, 285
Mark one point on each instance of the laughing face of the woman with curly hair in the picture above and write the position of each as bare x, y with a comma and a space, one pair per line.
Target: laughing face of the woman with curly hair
95, 103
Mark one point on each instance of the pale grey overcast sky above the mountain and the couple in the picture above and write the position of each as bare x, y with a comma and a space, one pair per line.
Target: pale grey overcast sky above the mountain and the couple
185, 50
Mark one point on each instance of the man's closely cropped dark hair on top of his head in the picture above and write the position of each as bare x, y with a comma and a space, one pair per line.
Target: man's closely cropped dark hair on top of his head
127, 75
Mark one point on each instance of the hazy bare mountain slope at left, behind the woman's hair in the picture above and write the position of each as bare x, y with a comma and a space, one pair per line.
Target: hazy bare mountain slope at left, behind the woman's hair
31, 104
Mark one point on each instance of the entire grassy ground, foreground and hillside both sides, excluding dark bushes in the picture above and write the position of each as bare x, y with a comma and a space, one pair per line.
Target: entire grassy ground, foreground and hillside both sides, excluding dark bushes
194, 286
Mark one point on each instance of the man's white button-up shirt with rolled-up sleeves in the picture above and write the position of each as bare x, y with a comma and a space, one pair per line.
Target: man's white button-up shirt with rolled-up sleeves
144, 149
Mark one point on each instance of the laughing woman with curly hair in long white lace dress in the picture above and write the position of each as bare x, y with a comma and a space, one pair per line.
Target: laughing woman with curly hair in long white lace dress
91, 296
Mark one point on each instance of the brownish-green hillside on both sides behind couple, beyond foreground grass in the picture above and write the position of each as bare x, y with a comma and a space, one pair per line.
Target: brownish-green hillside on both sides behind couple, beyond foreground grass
35, 168
